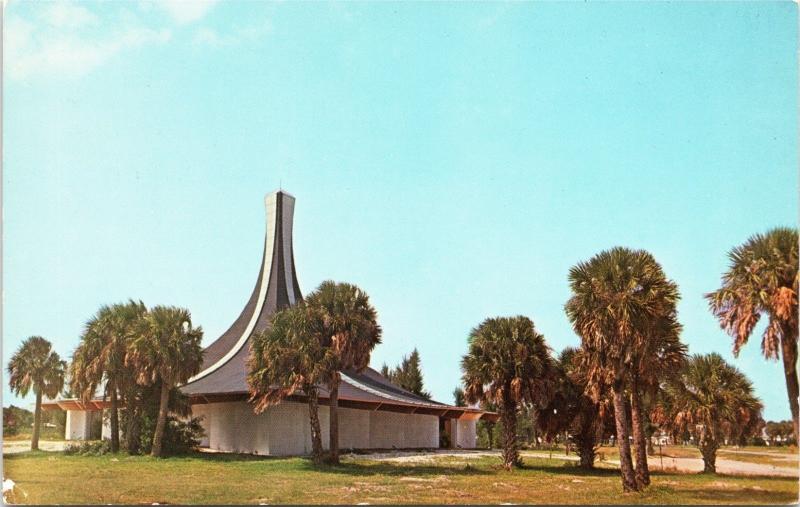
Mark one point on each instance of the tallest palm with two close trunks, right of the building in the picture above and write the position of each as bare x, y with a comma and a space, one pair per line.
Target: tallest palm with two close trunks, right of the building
618, 296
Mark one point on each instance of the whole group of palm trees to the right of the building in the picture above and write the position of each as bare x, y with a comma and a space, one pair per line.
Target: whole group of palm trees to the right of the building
631, 367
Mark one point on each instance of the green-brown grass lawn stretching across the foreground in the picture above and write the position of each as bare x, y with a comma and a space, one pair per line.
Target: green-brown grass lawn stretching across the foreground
43, 477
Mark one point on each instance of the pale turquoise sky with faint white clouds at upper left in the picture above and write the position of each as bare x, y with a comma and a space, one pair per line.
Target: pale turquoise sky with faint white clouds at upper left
452, 159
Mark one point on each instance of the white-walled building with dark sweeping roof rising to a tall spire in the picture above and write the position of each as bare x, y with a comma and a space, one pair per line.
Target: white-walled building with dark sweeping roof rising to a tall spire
373, 413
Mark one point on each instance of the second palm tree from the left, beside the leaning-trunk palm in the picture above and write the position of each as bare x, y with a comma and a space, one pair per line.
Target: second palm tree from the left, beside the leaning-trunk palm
100, 357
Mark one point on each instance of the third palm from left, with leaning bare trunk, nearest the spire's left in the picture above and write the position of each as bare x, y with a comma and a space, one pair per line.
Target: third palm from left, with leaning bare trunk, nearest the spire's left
168, 352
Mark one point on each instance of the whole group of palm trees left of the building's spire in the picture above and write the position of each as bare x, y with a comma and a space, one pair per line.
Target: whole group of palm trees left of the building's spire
128, 355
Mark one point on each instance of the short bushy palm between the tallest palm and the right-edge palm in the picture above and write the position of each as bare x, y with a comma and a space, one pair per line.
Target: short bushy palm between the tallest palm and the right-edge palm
708, 395
